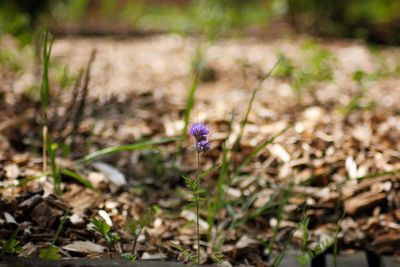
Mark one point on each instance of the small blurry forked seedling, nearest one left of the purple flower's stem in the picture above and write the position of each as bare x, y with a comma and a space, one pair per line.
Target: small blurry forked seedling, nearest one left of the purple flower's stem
135, 227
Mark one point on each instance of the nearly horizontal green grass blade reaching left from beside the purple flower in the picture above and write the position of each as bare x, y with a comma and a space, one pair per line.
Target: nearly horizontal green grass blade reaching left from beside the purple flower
141, 145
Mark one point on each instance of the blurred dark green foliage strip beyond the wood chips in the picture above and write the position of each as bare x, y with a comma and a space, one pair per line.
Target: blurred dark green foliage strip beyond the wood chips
377, 21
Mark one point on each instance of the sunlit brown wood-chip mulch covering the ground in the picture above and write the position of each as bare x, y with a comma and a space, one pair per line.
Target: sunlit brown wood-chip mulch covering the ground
336, 158
